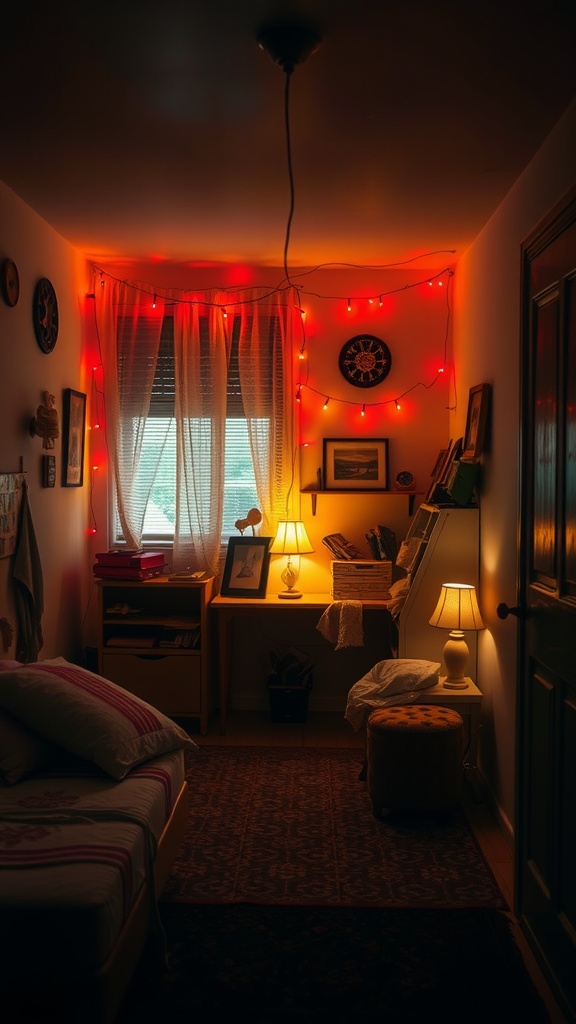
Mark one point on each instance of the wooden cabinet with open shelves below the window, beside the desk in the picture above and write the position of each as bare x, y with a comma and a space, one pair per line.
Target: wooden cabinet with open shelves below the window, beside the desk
154, 641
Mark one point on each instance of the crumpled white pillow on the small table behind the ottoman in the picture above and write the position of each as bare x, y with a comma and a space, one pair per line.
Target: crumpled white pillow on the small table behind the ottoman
390, 682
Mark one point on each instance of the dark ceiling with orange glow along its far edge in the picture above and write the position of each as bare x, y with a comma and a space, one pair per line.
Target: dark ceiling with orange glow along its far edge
159, 131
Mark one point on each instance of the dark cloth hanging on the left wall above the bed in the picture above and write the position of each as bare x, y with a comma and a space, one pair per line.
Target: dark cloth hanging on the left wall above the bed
29, 589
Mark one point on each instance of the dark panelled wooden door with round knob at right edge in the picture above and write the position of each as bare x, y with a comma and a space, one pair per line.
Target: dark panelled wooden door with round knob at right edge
546, 855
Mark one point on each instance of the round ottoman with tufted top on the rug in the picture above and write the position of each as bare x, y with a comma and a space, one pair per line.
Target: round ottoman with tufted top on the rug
415, 758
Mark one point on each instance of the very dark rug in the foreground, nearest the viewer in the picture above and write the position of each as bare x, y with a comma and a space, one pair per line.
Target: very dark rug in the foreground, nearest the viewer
292, 965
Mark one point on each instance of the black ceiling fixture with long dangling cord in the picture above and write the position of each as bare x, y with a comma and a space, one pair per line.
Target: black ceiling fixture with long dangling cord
289, 45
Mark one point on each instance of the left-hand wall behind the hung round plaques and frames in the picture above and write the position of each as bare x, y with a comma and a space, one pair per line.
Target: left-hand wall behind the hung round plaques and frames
60, 515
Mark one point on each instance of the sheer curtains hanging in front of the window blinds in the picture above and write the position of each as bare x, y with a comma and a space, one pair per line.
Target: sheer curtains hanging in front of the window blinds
125, 313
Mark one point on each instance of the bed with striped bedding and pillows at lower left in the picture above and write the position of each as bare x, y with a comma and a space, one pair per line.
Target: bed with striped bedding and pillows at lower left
94, 806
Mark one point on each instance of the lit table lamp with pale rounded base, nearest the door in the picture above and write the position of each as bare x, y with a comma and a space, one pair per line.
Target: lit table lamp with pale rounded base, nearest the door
457, 611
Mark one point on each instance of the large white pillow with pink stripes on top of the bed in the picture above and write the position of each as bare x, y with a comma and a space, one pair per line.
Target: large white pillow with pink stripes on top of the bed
90, 716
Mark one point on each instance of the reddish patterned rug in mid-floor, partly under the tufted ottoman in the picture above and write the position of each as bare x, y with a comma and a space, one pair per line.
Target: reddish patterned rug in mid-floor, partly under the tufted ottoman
294, 826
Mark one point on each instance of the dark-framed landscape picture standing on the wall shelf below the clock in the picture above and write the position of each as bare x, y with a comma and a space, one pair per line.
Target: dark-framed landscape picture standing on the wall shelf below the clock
353, 464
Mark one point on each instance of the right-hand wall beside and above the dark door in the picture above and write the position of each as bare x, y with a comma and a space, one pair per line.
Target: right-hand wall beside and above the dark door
487, 349
